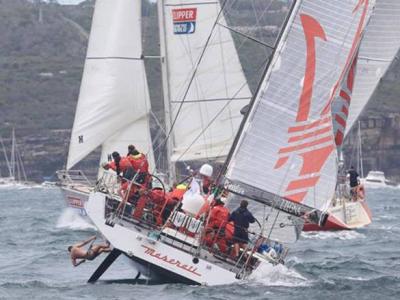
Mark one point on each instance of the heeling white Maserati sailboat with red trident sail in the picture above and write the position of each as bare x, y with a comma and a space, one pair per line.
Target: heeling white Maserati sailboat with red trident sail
283, 159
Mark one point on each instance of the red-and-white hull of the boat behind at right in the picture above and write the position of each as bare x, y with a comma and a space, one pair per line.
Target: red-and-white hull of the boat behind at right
351, 215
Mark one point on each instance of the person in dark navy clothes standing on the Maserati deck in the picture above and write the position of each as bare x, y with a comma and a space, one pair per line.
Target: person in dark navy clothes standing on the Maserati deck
241, 218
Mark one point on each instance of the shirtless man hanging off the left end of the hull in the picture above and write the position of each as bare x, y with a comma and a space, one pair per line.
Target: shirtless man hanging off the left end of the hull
76, 251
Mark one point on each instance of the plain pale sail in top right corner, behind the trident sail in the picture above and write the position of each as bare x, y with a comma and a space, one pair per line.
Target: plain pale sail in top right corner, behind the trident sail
378, 49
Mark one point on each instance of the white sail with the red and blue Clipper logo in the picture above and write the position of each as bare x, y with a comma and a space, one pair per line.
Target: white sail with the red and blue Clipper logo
204, 84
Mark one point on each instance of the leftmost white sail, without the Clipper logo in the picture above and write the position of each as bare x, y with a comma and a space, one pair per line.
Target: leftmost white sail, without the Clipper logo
113, 106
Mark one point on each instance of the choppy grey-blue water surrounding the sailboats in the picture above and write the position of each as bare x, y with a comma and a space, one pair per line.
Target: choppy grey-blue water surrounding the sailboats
34, 263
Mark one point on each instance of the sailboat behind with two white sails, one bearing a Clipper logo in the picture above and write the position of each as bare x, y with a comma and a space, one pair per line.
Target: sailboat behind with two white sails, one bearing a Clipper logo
202, 106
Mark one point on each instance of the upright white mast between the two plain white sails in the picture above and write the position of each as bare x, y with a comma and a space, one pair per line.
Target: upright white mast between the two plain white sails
166, 91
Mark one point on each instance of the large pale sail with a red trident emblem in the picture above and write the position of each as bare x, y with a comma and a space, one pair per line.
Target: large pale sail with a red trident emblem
286, 148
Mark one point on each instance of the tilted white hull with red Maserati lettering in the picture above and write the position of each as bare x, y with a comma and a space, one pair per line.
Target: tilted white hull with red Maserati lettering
161, 258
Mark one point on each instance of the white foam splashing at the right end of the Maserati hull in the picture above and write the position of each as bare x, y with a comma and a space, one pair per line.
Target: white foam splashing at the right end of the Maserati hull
279, 275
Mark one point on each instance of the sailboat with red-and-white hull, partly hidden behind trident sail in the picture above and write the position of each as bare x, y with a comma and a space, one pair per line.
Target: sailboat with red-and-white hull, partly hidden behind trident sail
379, 46
